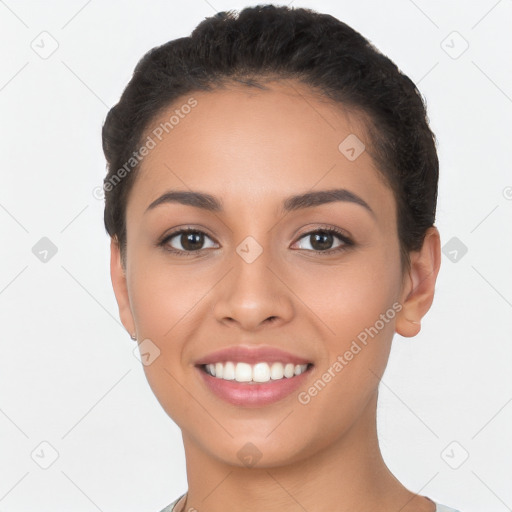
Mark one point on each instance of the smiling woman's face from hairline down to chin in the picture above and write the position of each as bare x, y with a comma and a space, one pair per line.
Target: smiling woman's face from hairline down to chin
314, 283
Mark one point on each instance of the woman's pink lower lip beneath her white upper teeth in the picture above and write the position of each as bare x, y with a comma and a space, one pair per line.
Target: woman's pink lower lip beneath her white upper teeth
247, 394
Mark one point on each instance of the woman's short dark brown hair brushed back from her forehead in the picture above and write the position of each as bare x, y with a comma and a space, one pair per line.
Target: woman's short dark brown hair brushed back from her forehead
264, 43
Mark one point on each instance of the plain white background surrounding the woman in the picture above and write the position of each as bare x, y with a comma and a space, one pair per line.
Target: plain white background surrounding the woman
67, 372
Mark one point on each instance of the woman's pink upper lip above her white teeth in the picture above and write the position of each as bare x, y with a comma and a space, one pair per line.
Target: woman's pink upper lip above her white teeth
251, 355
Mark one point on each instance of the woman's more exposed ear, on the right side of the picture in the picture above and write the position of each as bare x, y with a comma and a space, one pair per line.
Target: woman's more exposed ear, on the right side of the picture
419, 285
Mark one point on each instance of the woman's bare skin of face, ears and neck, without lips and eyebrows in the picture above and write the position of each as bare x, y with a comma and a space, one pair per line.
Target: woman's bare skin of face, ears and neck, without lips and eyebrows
252, 149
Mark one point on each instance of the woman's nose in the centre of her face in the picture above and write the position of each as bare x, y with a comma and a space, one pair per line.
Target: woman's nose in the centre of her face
253, 294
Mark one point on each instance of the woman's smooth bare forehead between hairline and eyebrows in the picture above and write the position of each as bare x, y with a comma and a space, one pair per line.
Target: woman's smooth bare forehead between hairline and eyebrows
251, 146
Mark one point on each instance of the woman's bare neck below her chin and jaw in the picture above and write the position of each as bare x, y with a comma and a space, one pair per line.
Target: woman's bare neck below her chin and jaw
347, 476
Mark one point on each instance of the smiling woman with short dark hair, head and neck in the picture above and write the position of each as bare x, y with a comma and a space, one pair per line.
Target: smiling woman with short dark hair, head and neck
270, 197
